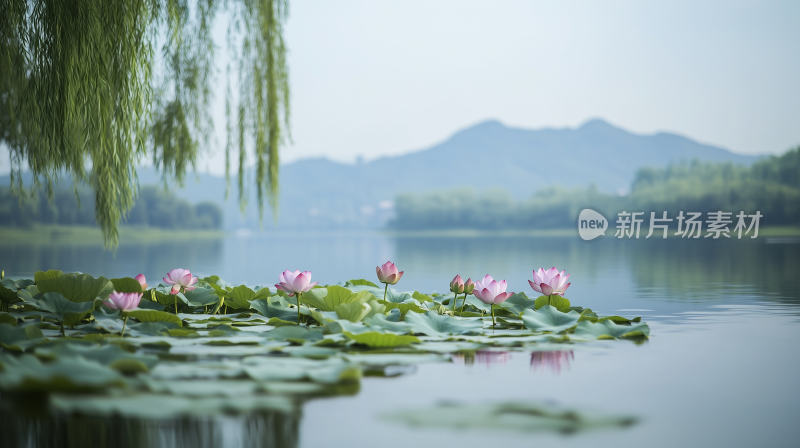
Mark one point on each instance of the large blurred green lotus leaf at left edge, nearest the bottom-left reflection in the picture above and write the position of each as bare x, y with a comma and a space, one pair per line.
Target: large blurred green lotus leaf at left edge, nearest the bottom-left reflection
27, 373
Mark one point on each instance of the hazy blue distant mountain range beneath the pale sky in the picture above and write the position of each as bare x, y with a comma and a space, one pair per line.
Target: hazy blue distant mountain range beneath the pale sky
320, 193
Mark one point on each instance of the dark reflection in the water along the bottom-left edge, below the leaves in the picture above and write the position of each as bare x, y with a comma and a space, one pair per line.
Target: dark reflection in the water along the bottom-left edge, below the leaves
31, 424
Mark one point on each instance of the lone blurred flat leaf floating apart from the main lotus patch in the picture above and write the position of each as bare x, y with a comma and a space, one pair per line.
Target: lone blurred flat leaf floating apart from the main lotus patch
525, 417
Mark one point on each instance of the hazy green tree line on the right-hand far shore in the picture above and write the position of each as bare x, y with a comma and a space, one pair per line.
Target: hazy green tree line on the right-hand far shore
770, 186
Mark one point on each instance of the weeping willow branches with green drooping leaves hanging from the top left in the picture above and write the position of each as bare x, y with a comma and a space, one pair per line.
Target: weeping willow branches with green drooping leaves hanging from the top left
92, 88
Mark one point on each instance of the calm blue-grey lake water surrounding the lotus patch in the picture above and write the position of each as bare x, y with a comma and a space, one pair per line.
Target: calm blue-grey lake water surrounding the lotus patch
720, 368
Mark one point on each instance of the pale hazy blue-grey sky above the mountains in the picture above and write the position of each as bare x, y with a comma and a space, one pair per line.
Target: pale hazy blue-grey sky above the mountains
376, 78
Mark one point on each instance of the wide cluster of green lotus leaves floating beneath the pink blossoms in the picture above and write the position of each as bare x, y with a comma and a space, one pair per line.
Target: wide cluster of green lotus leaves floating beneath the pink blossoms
242, 348
